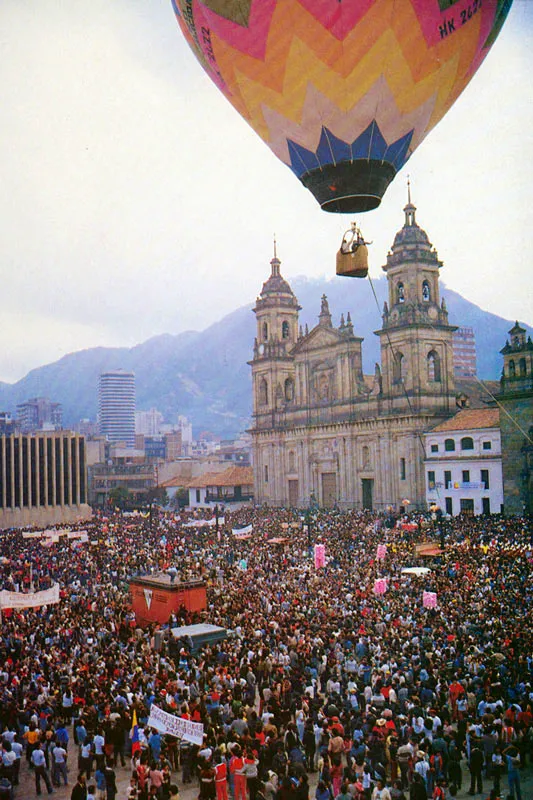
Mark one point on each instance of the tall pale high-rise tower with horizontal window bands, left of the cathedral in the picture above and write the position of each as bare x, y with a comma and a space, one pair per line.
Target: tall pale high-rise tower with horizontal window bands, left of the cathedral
116, 406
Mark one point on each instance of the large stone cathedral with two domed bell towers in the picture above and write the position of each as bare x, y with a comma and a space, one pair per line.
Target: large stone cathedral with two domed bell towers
325, 433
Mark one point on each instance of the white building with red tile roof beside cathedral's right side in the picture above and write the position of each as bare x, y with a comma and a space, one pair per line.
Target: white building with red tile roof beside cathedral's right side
463, 463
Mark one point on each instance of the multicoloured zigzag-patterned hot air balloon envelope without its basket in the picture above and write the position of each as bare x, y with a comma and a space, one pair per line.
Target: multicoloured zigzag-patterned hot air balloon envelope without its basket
342, 91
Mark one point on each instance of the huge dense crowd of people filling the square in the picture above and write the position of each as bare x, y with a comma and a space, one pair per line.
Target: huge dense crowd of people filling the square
323, 689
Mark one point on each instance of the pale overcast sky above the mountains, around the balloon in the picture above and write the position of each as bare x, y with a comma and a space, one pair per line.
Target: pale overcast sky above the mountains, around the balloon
135, 201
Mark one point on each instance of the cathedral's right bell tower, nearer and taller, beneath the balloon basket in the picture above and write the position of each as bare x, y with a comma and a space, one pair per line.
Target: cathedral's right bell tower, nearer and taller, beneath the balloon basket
416, 338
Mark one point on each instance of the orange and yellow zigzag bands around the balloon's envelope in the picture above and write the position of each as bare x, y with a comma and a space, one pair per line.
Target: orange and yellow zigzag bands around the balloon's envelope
344, 72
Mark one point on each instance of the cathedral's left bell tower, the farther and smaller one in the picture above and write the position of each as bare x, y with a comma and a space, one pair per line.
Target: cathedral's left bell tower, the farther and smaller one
276, 311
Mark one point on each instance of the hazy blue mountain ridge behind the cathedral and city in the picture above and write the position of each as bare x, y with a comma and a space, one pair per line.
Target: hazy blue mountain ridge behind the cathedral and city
204, 375
